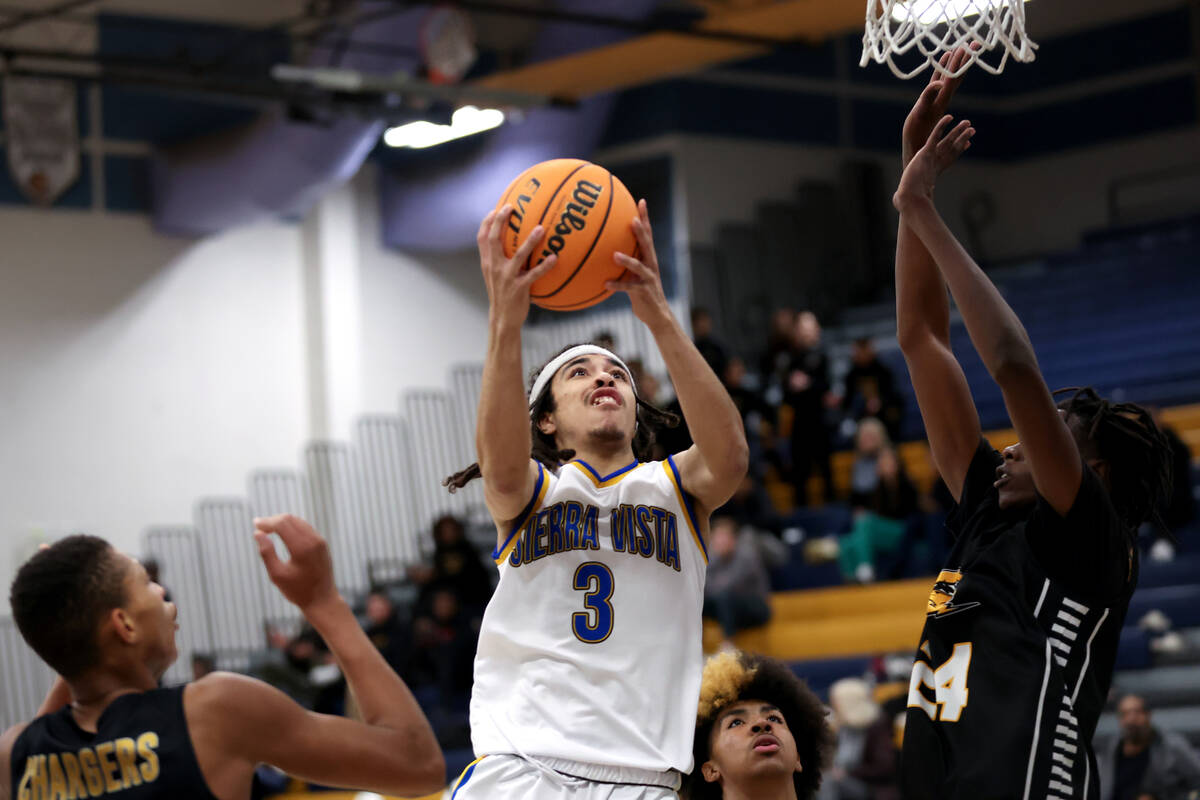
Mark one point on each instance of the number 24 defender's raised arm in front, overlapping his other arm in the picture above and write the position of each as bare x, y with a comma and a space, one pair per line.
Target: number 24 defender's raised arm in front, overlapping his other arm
997, 333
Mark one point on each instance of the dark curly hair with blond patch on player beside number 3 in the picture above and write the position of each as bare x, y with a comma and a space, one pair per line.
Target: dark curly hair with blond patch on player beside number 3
733, 677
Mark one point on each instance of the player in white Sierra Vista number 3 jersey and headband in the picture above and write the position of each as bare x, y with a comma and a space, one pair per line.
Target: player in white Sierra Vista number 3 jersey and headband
590, 655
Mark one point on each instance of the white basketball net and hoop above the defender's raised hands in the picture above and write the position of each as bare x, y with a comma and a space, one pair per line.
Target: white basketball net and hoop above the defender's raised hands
991, 32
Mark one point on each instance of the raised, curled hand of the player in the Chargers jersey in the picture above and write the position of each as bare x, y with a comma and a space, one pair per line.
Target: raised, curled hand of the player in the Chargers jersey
307, 580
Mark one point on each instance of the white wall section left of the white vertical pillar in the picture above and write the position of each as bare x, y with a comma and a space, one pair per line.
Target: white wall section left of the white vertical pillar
140, 372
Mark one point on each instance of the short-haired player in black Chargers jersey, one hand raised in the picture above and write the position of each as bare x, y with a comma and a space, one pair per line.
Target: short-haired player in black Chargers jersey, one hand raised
106, 730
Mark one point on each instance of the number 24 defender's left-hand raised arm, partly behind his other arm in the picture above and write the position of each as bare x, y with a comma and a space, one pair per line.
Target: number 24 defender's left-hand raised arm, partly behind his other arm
923, 316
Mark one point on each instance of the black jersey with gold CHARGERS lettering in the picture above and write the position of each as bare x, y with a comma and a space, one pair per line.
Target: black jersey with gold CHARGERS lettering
141, 751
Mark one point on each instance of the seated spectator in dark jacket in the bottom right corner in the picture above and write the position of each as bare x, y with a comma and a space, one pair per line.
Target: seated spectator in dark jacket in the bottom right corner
1144, 762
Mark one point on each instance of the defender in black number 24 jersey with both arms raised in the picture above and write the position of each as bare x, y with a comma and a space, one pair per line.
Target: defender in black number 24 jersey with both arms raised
1022, 630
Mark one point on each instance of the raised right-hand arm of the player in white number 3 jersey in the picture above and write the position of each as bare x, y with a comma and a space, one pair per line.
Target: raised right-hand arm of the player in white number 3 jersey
715, 466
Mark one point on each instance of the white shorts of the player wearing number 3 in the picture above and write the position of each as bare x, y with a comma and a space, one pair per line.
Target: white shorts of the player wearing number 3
512, 777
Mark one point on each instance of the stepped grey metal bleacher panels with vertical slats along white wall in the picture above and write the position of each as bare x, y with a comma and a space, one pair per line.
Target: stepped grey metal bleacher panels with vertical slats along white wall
374, 498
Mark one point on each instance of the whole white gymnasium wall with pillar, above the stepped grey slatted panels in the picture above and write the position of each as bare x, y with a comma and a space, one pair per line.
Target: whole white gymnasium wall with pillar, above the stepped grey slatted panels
143, 371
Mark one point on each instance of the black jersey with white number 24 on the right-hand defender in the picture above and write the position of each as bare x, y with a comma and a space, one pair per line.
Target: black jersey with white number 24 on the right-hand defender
1017, 654
